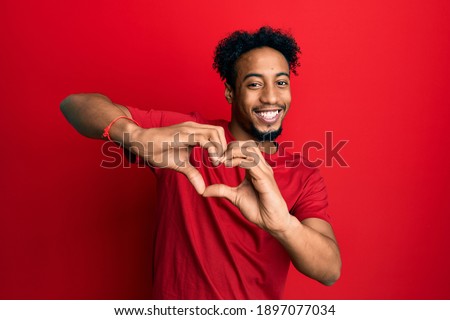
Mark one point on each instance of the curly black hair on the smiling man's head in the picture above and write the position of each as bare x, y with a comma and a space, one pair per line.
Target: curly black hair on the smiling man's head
239, 42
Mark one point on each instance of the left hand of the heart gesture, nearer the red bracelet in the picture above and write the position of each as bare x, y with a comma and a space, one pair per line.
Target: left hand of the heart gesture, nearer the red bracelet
170, 147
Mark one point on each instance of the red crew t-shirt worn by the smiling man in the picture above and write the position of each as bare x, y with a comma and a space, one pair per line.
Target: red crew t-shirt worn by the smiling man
204, 247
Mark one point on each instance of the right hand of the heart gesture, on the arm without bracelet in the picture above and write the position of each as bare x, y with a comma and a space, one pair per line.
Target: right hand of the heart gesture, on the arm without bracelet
257, 197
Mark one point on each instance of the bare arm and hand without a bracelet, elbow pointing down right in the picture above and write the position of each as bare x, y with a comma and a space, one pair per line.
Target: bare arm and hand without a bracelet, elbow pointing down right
310, 244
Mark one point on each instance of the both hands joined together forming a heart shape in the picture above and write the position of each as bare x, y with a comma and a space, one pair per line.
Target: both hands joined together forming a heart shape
257, 197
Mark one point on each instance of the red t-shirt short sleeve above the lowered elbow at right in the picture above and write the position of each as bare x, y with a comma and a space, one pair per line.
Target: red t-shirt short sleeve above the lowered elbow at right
313, 200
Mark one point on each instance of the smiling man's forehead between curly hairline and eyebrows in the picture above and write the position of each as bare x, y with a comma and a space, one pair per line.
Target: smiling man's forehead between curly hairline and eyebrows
265, 61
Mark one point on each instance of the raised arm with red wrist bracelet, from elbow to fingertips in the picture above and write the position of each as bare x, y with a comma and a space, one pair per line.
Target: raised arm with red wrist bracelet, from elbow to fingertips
167, 147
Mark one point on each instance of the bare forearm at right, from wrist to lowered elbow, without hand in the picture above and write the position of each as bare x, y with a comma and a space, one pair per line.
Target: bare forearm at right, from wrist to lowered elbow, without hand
312, 253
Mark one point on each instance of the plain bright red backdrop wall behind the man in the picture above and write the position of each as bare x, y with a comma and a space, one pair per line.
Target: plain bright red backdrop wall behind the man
374, 73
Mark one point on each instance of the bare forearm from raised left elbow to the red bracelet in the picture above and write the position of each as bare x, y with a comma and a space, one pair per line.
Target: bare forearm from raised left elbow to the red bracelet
89, 114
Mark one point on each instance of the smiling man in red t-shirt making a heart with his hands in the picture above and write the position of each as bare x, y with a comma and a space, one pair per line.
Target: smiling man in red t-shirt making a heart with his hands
233, 236
